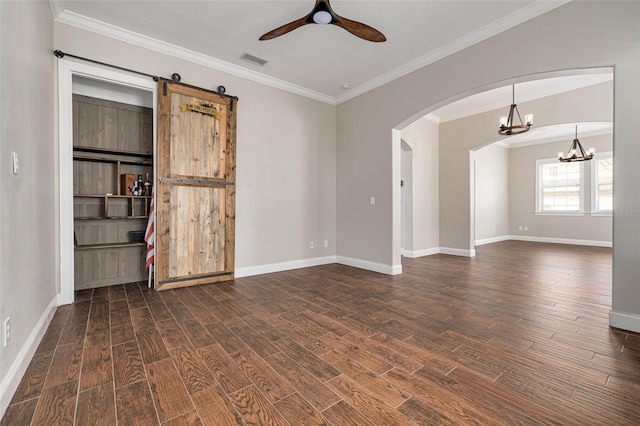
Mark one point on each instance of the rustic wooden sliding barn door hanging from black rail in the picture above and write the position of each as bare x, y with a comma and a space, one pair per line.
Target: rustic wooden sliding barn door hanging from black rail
195, 194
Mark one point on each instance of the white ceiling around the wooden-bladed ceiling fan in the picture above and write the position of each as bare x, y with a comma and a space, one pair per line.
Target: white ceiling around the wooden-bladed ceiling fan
314, 60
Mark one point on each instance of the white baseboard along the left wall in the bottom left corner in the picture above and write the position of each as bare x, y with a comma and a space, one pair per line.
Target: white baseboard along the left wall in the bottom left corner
18, 367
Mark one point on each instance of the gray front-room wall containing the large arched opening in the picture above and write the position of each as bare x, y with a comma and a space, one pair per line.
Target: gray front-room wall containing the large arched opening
574, 36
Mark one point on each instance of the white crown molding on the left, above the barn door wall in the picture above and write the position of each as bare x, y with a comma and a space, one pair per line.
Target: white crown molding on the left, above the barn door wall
150, 43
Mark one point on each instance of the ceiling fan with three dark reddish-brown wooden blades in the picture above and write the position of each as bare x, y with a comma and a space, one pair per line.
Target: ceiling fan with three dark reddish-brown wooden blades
323, 14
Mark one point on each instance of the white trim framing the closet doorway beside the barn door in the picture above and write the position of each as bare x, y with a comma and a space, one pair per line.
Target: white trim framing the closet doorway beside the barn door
64, 185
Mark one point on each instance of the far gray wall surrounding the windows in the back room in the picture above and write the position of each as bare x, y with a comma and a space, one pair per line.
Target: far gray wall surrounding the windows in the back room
522, 176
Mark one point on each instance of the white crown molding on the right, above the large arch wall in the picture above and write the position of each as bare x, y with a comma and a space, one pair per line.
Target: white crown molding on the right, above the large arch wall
536, 9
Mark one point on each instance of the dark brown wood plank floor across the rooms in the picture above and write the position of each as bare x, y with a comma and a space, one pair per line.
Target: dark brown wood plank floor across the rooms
517, 335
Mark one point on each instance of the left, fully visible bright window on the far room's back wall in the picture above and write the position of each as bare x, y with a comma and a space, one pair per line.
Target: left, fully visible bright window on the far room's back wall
559, 187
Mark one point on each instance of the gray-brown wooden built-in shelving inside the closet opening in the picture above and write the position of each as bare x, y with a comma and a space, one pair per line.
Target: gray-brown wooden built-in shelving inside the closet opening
110, 139
